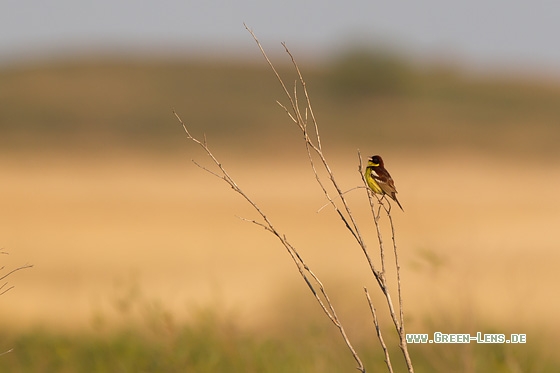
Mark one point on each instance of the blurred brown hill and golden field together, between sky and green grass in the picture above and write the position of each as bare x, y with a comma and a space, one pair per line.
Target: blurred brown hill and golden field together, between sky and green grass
99, 193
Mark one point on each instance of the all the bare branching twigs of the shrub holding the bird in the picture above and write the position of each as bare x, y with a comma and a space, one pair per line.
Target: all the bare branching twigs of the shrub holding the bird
301, 117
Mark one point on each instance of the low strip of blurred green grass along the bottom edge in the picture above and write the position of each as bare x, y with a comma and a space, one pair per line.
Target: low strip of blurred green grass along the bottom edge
216, 344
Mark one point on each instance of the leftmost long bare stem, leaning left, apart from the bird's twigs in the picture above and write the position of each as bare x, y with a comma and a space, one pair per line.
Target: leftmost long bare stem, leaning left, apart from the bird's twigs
303, 269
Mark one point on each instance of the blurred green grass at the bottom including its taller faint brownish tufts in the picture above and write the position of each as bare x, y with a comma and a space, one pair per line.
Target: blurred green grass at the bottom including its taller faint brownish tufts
298, 339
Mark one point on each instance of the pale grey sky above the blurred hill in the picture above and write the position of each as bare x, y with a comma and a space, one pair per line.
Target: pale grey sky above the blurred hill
479, 33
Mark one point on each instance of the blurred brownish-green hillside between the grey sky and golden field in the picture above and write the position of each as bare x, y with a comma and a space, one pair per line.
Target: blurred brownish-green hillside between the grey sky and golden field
362, 99
